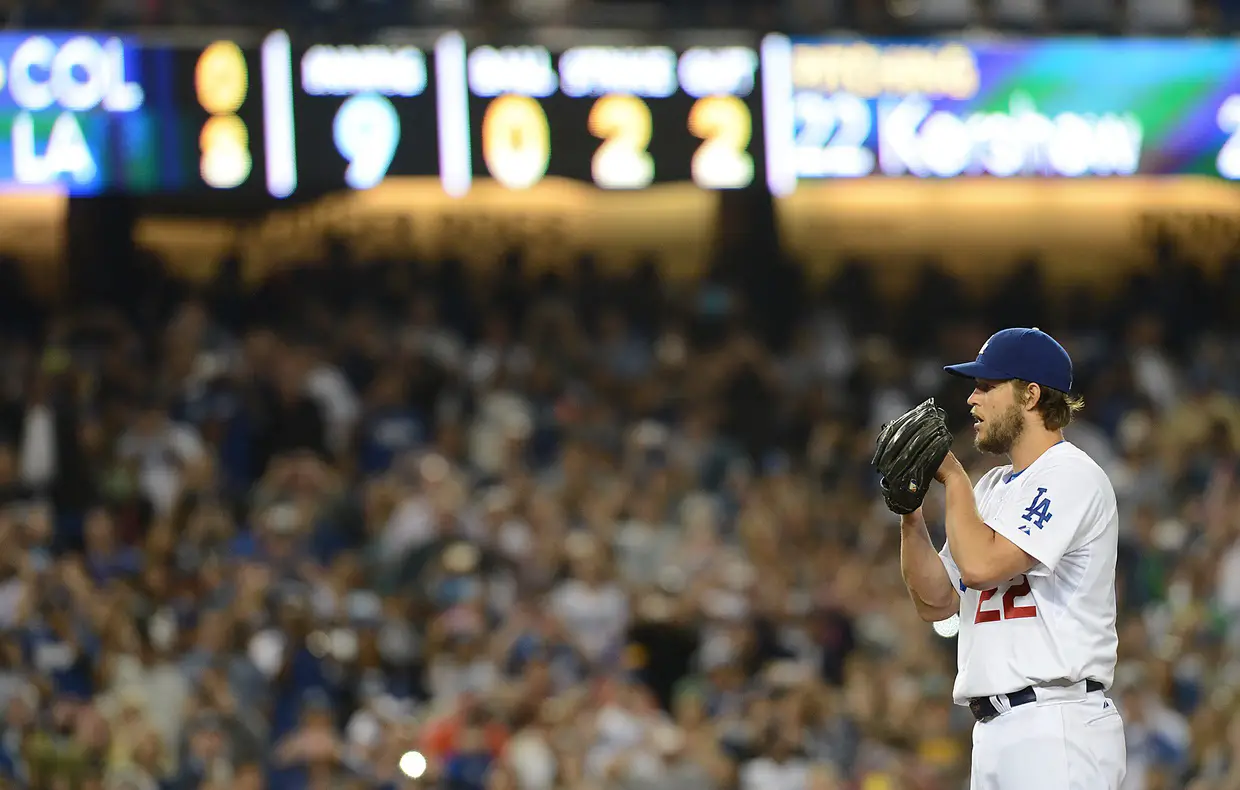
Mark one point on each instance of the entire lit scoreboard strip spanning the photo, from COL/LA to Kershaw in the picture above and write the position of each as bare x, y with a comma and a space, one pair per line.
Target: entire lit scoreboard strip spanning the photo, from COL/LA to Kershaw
277, 116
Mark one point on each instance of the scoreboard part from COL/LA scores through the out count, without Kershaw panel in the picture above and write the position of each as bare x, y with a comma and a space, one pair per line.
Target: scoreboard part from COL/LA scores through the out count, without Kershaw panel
283, 117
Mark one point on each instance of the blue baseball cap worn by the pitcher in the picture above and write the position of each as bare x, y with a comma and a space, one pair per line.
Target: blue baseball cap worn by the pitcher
1025, 354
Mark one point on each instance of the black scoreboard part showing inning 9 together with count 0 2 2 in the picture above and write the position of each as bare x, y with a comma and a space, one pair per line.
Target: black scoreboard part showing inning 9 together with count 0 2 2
618, 117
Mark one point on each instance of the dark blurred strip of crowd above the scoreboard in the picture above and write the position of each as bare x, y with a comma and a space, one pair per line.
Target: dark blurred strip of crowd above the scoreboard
354, 18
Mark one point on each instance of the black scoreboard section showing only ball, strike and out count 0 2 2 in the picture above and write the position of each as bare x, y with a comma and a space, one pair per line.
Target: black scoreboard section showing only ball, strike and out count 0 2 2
622, 118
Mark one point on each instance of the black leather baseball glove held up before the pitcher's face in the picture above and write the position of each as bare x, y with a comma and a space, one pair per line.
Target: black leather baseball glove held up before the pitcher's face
911, 450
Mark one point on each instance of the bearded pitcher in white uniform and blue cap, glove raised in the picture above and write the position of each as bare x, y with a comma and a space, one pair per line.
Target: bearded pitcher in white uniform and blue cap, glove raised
1029, 566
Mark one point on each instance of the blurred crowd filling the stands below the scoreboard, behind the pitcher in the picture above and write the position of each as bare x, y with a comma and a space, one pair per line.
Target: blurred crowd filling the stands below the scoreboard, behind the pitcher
577, 531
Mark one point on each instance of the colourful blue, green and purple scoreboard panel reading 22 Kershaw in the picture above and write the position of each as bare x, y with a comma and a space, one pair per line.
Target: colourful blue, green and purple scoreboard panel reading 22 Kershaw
1050, 109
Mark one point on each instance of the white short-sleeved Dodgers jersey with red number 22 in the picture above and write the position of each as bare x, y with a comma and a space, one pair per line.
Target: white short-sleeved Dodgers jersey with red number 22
1056, 623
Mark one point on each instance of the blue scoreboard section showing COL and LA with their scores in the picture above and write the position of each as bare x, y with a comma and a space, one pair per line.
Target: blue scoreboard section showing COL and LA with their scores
95, 113
